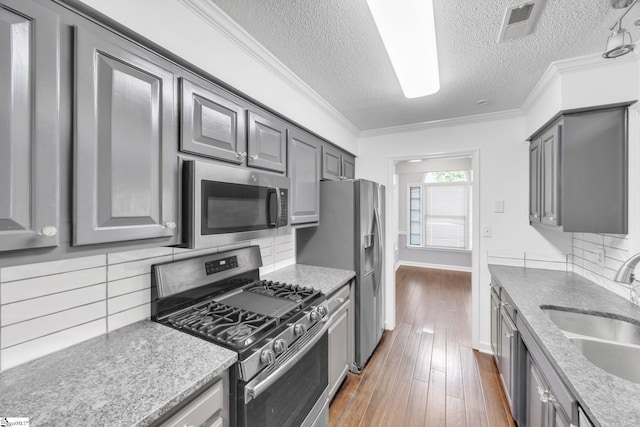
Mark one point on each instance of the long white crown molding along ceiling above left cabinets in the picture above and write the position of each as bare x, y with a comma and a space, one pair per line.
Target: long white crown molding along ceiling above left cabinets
216, 18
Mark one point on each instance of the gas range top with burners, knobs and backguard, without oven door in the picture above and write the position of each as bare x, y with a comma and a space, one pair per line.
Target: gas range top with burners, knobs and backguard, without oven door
220, 298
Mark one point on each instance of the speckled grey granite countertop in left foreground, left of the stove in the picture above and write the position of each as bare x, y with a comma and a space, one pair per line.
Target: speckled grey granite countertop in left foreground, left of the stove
128, 377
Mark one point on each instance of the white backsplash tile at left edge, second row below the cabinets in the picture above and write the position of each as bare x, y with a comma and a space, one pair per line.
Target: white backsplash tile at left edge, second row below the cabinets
36, 287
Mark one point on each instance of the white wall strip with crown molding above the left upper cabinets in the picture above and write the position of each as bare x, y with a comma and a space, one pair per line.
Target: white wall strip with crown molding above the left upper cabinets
220, 48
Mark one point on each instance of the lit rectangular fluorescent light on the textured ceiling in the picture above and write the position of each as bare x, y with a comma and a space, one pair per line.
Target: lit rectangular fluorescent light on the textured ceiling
407, 28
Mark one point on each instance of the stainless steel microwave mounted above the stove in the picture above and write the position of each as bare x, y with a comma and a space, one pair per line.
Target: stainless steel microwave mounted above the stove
225, 204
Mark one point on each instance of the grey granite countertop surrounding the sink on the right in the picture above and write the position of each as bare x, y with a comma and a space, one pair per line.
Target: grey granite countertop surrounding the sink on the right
608, 400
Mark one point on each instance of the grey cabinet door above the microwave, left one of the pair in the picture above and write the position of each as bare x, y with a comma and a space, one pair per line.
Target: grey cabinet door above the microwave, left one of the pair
212, 124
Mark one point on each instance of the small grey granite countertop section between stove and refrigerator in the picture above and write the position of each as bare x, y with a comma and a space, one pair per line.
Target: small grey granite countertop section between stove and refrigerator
327, 280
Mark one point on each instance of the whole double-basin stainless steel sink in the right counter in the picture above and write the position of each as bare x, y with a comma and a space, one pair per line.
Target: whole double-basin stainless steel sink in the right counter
610, 344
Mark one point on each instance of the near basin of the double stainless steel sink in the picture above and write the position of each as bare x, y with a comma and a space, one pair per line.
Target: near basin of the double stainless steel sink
617, 359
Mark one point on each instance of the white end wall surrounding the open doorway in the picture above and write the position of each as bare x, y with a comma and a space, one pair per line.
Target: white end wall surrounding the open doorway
502, 174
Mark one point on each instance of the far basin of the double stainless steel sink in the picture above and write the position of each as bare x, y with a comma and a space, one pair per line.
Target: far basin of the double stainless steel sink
595, 326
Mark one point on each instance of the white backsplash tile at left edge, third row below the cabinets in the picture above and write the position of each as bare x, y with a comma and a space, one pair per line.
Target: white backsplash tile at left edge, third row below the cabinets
30, 309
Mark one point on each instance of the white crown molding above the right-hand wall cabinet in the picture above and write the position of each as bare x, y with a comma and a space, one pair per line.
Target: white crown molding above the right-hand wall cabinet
557, 69
